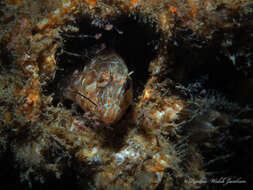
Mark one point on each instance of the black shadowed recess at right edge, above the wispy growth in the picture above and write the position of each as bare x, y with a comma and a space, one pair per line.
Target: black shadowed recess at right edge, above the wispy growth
211, 67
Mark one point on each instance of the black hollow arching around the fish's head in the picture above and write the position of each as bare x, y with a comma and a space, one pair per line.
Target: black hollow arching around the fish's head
135, 42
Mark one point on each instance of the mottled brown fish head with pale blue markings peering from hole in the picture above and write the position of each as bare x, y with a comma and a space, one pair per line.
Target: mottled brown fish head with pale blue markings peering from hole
104, 87
